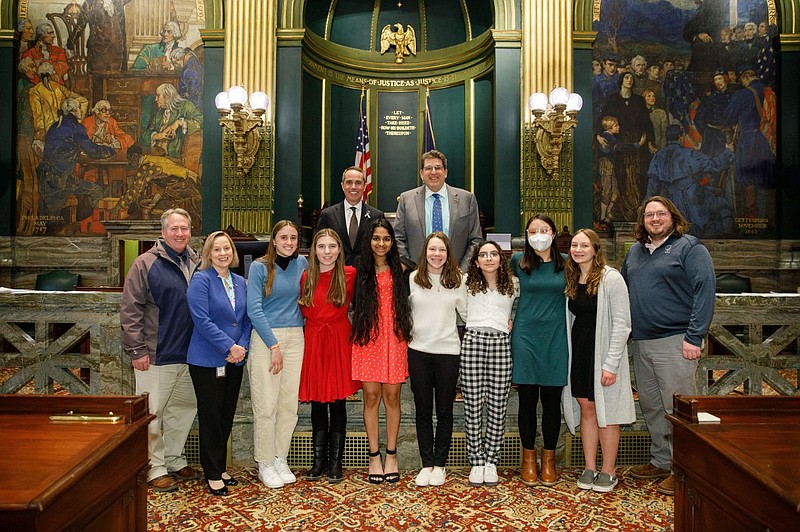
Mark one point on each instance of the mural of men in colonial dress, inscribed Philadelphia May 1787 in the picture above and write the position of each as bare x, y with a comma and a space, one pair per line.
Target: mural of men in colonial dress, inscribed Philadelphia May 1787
109, 123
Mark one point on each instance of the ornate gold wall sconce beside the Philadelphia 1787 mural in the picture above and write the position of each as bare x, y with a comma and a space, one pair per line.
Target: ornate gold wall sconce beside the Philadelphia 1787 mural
244, 121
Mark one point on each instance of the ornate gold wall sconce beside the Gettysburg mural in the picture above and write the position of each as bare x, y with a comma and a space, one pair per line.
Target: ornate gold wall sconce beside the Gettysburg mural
551, 121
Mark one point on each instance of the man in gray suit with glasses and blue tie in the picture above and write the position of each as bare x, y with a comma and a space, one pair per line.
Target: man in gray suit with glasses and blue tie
436, 206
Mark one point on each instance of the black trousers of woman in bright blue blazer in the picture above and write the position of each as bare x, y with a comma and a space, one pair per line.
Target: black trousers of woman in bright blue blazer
216, 406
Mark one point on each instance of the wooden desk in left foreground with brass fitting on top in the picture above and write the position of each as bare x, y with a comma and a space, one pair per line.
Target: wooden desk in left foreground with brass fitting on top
73, 475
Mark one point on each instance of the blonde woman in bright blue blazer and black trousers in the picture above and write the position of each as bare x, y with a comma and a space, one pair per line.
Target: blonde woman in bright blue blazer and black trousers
218, 302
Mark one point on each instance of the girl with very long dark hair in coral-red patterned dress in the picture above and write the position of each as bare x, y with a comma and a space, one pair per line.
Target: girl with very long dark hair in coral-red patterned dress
381, 331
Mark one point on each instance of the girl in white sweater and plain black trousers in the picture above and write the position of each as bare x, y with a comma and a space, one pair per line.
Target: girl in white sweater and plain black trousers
437, 295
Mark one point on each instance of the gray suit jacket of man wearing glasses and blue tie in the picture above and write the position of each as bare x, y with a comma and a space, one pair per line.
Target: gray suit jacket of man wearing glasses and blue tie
465, 226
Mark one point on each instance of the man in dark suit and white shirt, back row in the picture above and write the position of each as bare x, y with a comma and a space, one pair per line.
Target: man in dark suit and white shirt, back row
350, 218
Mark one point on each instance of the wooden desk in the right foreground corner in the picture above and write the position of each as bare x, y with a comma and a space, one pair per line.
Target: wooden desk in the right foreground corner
741, 474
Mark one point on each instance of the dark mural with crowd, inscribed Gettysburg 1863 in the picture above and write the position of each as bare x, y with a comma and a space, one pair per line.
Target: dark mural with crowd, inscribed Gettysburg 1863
684, 105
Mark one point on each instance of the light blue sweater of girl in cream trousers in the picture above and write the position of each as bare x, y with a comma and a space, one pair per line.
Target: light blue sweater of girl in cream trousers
280, 309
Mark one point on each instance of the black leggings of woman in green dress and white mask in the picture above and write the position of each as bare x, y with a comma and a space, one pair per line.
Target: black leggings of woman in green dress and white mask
551, 414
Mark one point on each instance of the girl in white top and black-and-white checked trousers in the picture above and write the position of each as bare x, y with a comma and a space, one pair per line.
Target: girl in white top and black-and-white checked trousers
486, 361
